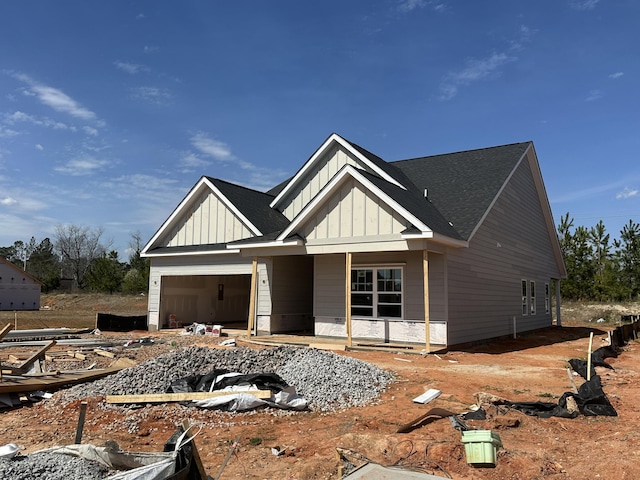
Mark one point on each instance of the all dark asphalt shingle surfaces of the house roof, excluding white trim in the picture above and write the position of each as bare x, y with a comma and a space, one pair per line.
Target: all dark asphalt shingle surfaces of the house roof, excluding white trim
461, 186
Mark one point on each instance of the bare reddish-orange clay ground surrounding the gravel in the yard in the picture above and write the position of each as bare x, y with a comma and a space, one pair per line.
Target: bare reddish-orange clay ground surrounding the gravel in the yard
530, 368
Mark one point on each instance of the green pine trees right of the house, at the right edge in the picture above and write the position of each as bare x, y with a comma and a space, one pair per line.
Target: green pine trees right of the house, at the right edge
598, 267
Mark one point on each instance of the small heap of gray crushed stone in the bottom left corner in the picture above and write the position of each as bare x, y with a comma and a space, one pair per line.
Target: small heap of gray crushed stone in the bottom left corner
50, 466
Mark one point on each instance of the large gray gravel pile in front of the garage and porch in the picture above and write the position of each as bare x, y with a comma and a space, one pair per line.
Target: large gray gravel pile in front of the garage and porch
328, 381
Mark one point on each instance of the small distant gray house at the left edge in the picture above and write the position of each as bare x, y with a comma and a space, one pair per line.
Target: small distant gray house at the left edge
18, 289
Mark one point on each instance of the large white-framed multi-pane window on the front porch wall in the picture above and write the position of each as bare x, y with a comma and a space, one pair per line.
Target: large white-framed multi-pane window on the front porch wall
377, 292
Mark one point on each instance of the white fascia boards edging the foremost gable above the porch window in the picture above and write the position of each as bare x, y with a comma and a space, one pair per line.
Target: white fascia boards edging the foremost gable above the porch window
333, 184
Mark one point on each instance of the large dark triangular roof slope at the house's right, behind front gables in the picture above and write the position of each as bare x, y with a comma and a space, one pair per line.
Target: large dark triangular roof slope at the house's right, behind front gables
463, 185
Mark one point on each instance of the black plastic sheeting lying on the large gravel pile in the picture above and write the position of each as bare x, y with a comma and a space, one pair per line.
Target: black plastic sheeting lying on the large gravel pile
202, 383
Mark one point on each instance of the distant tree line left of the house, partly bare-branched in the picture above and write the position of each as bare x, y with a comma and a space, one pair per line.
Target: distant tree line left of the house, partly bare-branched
80, 258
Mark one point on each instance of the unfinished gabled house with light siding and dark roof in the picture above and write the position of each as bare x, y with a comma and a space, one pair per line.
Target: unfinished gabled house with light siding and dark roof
444, 249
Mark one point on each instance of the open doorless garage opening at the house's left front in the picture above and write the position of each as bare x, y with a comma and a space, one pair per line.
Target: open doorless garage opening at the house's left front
209, 299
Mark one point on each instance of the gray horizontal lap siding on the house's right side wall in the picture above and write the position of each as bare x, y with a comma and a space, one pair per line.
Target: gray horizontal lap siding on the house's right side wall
484, 280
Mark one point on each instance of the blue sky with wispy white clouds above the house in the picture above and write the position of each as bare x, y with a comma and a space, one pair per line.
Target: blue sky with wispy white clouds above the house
111, 111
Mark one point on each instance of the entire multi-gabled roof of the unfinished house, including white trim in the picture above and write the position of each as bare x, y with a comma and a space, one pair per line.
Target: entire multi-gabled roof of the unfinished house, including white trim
446, 196
